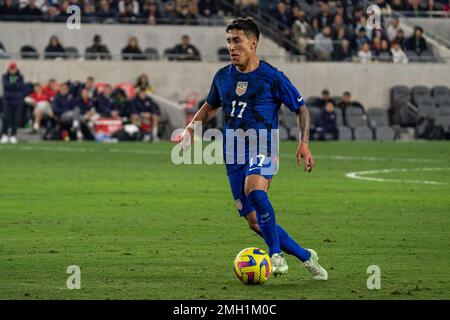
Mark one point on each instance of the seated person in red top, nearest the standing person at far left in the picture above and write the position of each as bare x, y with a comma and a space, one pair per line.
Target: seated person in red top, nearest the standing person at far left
40, 102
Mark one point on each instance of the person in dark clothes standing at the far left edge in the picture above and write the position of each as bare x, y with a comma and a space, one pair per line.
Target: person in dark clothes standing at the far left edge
13, 87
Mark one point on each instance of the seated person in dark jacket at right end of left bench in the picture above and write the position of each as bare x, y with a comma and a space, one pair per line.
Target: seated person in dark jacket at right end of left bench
146, 115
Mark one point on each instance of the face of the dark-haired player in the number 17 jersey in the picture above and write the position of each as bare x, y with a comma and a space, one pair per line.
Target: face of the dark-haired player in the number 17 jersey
240, 47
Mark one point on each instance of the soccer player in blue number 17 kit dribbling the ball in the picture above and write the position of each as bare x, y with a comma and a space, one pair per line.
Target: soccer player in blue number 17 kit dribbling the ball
250, 93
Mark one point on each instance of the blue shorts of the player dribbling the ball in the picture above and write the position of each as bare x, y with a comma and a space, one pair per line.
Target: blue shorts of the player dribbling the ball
237, 182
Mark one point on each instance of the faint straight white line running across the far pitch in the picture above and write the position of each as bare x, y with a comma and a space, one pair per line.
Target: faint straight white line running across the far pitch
143, 151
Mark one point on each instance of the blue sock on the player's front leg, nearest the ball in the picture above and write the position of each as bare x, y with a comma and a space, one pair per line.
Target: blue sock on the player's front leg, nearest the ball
266, 219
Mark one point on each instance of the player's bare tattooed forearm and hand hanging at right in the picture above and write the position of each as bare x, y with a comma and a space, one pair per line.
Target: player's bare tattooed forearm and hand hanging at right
303, 122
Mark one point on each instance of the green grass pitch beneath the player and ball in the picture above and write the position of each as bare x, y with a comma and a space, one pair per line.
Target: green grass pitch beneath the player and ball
142, 228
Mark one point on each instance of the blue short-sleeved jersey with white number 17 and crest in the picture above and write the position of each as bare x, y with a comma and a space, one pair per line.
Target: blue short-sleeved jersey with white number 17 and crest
251, 102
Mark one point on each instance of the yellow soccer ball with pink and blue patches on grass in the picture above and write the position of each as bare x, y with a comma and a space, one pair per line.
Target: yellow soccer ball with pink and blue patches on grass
252, 266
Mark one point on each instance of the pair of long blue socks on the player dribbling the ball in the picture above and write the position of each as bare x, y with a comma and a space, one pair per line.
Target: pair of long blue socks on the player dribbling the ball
276, 237
